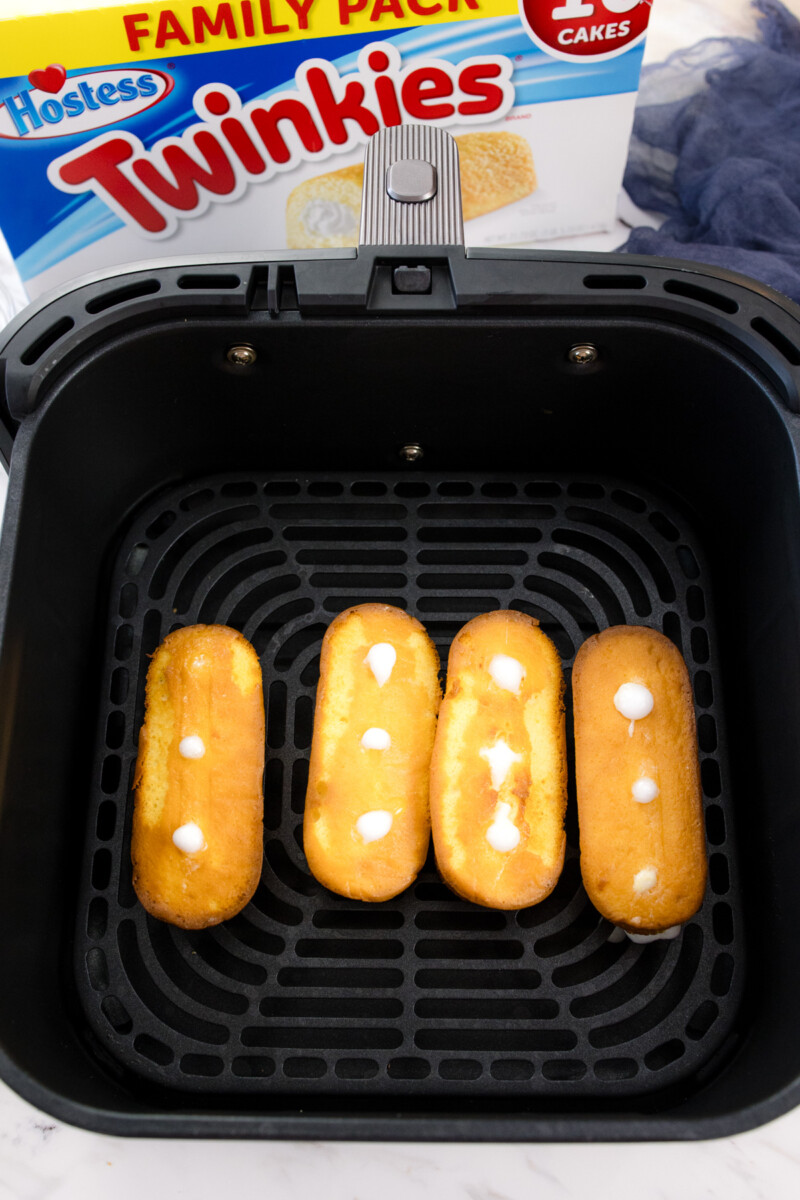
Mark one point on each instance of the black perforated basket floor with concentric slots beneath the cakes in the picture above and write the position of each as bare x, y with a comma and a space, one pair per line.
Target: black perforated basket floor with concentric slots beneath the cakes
426, 995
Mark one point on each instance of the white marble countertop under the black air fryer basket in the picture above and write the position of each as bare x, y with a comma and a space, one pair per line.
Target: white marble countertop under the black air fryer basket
43, 1159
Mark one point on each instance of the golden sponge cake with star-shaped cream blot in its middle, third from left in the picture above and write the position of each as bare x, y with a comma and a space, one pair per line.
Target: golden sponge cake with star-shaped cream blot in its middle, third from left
498, 776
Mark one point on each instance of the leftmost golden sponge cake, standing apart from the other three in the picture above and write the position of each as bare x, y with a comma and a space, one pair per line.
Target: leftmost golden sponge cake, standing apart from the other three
197, 819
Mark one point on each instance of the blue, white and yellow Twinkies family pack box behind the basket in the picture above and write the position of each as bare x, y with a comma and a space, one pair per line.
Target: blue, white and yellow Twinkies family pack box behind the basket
152, 130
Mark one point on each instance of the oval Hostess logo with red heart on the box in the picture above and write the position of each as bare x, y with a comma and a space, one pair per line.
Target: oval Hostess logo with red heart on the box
56, 106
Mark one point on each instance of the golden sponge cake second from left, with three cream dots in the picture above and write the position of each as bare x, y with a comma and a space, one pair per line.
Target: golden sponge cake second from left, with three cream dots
368, 825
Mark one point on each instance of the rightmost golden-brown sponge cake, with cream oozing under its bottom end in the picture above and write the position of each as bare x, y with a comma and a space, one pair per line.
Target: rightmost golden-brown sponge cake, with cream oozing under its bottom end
640, 802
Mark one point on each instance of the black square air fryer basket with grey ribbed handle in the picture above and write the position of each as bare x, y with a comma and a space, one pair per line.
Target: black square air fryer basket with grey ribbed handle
267, 441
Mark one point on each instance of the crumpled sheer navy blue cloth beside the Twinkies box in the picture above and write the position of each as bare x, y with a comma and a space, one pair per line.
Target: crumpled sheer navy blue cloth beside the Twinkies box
717, 148
